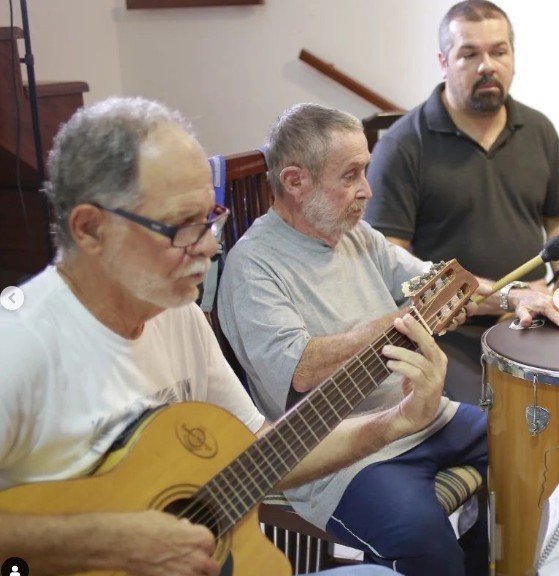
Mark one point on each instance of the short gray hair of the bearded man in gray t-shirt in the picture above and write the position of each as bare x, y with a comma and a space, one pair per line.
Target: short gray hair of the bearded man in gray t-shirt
301, 137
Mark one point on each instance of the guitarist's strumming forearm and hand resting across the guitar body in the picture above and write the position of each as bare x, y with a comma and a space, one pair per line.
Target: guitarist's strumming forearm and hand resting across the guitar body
145, 543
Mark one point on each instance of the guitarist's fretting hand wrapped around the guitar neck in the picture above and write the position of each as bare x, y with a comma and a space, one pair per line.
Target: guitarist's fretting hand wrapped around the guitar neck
423, 374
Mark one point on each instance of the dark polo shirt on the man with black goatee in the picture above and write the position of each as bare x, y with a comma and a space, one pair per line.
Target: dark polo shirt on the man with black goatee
436, 187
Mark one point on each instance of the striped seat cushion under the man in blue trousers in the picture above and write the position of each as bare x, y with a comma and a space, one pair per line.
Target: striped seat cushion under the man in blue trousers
453, 487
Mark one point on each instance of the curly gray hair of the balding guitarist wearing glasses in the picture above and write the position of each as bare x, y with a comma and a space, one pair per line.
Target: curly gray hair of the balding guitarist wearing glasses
95, 157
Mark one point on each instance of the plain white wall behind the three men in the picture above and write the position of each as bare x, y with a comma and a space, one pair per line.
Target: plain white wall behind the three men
232, 70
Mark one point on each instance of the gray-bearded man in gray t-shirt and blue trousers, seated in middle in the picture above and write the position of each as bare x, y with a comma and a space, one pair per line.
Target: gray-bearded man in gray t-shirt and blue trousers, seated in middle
308, 286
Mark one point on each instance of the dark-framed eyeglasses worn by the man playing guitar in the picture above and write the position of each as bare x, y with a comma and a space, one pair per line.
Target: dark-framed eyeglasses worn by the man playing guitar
180, 236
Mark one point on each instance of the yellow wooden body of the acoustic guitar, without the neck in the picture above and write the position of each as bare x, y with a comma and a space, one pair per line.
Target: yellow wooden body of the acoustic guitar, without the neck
175, 451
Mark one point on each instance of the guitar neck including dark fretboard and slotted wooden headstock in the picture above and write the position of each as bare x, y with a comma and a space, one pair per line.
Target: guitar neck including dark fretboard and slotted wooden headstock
436, 298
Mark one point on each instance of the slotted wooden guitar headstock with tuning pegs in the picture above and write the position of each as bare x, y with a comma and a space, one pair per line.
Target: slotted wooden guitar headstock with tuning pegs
440, 293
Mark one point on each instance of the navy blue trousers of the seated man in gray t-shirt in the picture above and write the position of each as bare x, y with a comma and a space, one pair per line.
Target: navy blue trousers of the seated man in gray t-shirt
390, 511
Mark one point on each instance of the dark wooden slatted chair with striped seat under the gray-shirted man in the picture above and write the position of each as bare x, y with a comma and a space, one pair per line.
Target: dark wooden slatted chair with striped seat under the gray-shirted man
248, 195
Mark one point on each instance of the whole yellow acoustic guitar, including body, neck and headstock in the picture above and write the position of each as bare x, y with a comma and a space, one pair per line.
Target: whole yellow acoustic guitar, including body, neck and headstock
174, 459
